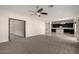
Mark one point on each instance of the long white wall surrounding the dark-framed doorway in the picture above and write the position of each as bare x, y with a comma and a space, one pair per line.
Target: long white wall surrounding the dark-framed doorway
33, 26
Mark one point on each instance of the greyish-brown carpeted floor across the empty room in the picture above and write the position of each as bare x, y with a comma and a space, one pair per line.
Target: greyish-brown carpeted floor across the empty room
40, 44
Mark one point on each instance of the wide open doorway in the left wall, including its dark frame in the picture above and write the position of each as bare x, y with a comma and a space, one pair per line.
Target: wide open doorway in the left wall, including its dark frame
17, 27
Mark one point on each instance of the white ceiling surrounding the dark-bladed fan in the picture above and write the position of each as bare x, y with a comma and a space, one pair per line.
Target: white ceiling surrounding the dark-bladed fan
58, 12
